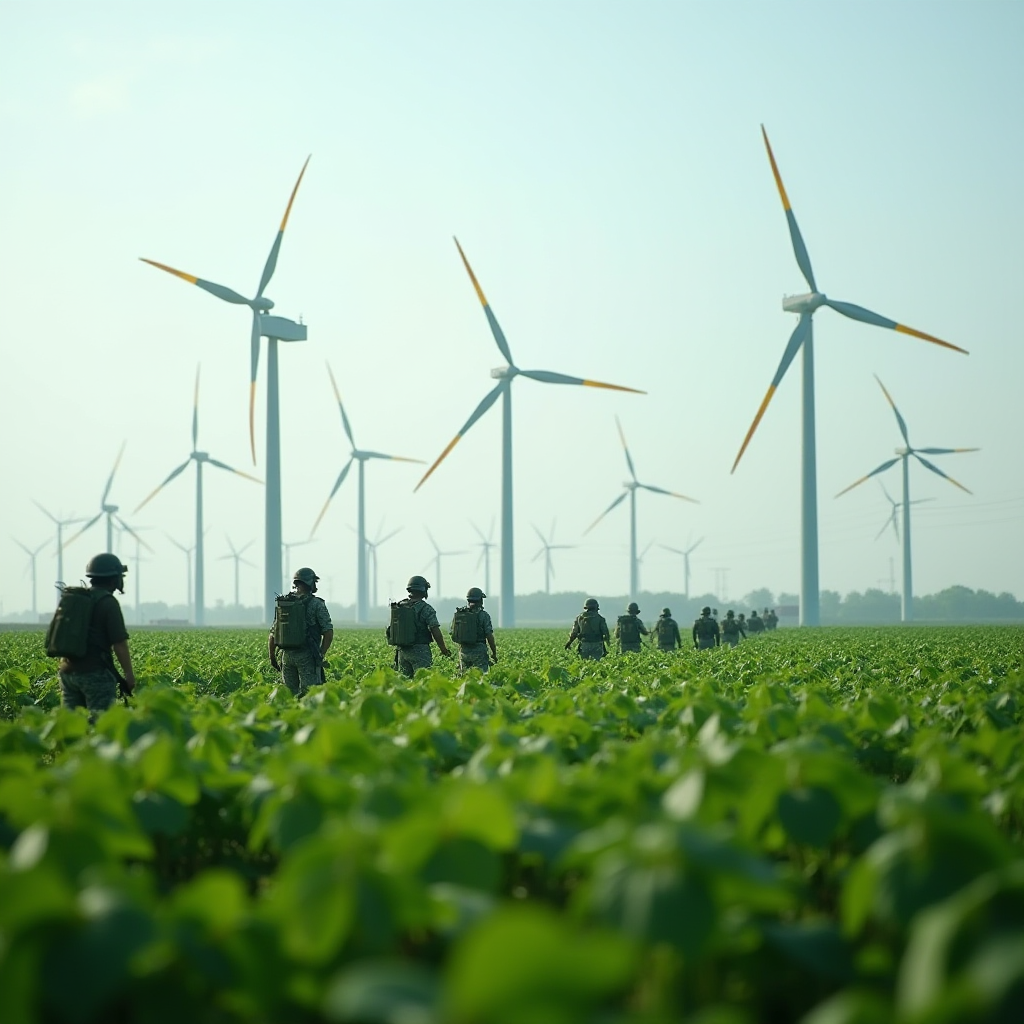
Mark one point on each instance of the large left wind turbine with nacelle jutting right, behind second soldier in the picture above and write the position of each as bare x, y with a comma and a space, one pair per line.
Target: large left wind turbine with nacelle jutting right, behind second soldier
275, 329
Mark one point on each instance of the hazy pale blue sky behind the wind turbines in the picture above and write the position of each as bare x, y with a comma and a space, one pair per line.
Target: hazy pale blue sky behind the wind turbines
603, 166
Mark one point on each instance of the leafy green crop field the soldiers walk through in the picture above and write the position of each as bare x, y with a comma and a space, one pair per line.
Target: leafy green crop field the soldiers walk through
822, 826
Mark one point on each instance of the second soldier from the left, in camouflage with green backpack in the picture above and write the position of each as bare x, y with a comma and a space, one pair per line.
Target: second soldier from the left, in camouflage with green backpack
302, 662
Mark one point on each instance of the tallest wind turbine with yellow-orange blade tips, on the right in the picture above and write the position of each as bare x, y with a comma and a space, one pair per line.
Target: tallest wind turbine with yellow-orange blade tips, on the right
805, 307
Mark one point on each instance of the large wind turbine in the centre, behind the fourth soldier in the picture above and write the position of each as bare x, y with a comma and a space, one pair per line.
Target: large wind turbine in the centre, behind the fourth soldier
505, 375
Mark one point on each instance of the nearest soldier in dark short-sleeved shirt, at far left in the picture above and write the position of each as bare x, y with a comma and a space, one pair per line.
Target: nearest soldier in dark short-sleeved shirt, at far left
89, 678
